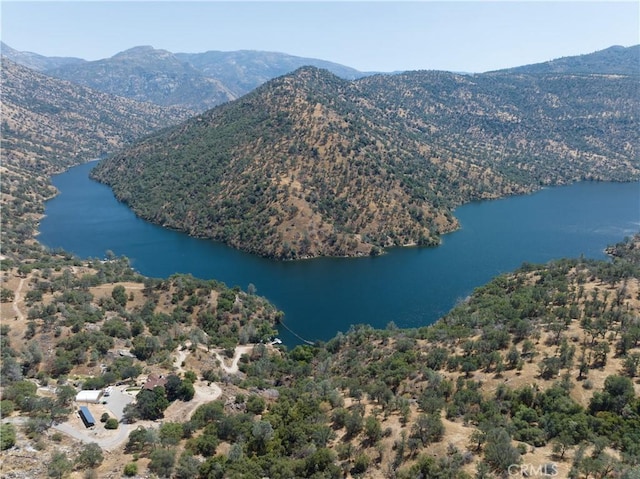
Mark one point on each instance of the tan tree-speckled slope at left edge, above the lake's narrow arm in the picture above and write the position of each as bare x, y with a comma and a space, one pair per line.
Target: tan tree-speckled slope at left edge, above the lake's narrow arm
49, 124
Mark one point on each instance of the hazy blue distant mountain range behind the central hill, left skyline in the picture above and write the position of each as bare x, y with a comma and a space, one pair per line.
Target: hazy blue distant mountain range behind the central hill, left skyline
196, 81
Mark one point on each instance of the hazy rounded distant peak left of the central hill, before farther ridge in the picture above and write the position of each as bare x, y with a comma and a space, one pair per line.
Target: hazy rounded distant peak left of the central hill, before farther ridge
149, 75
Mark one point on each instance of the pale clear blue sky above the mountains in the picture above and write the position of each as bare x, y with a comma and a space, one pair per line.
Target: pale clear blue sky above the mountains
471, 36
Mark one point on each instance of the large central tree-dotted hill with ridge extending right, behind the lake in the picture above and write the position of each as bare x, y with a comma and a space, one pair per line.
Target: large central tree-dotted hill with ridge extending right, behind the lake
310, 164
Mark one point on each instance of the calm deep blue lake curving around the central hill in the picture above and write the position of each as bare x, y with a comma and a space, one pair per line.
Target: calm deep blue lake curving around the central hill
409, 286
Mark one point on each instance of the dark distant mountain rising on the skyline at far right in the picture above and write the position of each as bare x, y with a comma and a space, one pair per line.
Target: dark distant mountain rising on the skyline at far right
615, 60
